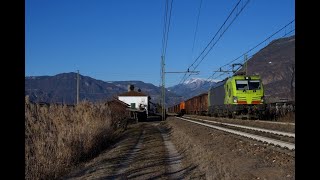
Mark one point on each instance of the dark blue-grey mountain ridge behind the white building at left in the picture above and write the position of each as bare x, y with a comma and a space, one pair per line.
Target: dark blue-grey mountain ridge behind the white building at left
61, 88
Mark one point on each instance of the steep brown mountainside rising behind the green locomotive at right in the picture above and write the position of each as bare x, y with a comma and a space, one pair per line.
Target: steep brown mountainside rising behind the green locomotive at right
275, 63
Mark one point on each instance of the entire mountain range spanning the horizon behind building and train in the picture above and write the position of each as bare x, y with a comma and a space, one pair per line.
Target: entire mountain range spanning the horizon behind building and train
275, 63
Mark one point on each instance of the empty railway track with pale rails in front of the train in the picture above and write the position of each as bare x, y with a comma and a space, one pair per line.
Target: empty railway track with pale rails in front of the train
283, 144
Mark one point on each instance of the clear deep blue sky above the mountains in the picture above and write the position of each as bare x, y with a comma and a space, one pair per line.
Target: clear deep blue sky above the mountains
115, 40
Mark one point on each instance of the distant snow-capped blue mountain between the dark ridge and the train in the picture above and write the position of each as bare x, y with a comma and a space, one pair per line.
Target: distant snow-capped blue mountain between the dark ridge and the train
193, 87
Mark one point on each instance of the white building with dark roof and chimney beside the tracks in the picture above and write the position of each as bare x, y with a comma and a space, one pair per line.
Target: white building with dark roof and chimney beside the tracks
136, 100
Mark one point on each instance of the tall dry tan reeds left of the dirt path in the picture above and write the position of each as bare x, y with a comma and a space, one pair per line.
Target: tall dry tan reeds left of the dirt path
58, 137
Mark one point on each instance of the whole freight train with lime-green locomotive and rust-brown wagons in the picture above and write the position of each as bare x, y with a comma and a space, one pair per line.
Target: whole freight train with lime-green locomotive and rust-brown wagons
240, 96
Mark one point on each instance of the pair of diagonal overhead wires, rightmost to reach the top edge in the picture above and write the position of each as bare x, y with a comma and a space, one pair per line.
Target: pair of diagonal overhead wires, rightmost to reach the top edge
221, 31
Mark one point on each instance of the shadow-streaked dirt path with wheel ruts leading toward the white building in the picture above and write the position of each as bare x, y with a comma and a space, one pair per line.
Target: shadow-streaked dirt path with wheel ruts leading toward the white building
145, 153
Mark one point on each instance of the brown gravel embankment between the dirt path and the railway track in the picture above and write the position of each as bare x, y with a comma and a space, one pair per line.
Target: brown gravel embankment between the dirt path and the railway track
220, 155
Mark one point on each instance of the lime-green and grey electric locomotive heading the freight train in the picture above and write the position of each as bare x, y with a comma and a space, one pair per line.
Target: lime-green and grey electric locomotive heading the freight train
240, 96
